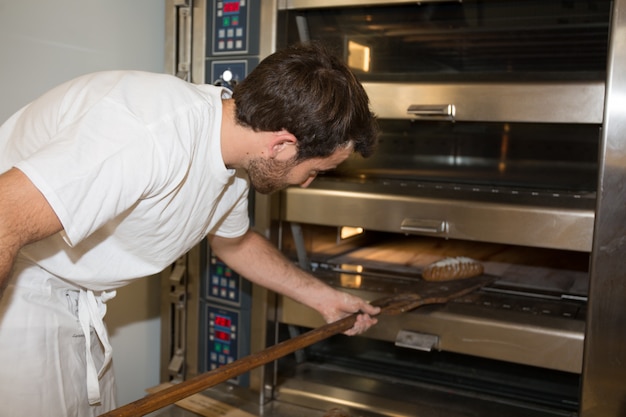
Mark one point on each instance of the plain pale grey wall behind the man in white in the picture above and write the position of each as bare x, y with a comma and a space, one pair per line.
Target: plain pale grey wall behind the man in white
43, 43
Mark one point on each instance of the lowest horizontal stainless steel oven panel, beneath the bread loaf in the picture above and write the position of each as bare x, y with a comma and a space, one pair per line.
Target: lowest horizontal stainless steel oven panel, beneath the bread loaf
548, 342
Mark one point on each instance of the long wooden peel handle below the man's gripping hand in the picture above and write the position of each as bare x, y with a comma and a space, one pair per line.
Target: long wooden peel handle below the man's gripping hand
206, 380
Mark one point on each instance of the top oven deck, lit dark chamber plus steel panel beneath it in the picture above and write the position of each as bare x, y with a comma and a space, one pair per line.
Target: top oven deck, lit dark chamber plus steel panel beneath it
505, 60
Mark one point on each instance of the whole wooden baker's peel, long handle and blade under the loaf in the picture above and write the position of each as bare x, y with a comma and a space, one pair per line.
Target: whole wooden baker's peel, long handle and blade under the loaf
421, 294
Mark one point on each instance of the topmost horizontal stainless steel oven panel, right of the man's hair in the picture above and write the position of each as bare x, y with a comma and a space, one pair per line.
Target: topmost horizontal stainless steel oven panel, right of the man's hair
579, 102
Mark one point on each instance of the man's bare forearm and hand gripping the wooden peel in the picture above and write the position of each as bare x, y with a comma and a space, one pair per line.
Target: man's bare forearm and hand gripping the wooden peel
255, 258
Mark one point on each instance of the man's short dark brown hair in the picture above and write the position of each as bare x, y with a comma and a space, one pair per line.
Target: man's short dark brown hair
311, 94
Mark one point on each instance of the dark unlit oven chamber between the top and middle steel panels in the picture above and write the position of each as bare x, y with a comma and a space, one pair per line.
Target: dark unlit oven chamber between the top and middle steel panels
545, 158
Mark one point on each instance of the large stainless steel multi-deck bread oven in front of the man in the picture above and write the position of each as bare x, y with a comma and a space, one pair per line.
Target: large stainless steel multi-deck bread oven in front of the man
502, 140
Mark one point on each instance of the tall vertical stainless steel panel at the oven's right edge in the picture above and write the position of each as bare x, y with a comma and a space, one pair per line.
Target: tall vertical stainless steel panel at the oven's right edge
604, 373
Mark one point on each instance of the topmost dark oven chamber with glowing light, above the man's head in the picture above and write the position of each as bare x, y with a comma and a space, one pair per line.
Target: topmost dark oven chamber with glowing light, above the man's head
503, 40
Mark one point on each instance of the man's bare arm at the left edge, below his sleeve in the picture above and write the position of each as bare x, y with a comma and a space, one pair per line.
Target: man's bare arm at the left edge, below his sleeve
25, 217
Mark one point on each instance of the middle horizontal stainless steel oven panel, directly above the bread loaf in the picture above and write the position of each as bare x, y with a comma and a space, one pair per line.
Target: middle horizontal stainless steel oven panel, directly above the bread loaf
488, 222
